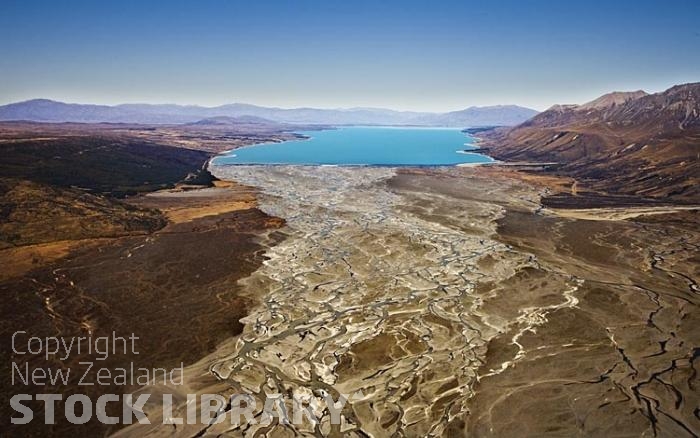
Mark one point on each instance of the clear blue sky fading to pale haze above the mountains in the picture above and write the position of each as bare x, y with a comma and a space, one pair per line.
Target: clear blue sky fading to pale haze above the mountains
407, 56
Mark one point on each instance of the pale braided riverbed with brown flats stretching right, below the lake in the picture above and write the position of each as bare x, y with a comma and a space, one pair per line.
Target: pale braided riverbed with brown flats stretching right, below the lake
449, 301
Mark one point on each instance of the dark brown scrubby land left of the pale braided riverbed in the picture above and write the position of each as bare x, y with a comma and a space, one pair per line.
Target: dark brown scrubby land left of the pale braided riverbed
108, 230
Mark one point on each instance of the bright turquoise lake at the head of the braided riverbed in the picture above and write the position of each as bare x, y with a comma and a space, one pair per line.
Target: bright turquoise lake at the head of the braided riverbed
364, 146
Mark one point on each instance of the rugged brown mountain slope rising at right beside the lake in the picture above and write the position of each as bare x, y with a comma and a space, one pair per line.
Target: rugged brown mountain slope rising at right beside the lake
634, 143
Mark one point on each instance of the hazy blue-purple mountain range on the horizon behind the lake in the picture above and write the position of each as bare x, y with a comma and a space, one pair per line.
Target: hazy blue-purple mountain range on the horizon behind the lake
43, 110
